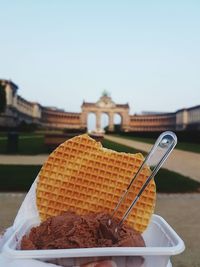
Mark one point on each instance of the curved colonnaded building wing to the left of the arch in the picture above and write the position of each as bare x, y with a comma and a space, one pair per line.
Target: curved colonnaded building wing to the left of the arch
18, 109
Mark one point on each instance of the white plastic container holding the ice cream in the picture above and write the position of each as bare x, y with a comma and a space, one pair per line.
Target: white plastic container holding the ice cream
160, 239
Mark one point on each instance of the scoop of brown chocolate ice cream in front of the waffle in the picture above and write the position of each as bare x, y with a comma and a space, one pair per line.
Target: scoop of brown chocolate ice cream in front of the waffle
70, 230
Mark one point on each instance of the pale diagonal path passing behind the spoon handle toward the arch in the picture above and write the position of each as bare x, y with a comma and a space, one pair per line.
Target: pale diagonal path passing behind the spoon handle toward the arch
183, 162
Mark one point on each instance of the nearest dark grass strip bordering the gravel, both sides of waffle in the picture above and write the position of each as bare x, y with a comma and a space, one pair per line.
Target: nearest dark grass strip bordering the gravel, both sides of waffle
19, 178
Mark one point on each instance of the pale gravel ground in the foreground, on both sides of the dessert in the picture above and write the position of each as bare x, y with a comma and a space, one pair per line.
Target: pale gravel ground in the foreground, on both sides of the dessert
181, 211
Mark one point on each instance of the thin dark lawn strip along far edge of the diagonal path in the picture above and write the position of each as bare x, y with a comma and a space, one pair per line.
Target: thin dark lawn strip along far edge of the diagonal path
180, 145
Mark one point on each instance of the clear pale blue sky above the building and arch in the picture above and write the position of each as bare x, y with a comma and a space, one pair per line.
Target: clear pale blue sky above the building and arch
146, 53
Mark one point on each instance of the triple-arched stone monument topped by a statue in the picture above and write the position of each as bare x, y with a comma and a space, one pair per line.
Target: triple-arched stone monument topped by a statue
105, 105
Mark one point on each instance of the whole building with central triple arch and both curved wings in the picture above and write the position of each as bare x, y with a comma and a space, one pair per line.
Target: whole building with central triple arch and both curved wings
18, 109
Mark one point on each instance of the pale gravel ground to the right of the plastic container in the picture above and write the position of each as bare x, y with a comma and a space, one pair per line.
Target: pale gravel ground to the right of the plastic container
182, 212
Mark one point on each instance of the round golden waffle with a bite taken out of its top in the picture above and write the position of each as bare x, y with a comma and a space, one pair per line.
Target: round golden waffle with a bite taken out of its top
82, 176
